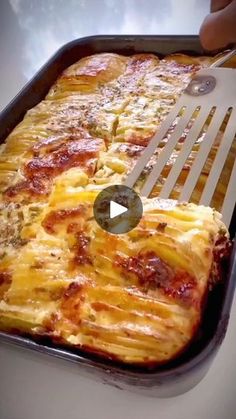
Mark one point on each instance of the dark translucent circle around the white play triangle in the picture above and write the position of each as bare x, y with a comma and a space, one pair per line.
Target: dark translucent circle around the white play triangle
121, 195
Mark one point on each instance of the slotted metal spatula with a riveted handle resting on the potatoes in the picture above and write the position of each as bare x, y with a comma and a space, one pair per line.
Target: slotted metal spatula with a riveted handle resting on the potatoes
211, 94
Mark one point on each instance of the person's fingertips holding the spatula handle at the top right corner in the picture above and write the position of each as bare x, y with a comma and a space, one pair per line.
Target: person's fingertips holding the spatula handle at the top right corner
219, 28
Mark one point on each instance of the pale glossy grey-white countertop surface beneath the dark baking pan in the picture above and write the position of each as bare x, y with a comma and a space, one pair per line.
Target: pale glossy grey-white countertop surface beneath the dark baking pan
33, 386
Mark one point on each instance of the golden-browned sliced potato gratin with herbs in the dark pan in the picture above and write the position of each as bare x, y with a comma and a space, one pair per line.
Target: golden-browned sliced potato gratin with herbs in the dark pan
136, 297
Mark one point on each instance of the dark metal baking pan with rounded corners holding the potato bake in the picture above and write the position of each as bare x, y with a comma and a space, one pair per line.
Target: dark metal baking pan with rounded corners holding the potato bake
182, 374
